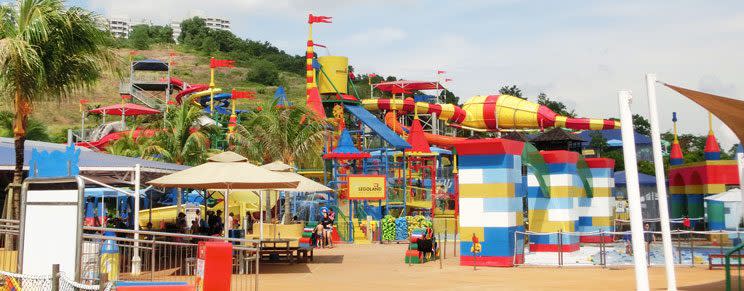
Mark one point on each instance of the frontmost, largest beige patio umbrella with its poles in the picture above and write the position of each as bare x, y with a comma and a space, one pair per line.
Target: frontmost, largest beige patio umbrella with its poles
227, 171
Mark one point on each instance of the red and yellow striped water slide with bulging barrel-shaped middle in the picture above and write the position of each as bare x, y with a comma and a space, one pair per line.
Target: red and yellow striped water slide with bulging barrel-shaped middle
493, 112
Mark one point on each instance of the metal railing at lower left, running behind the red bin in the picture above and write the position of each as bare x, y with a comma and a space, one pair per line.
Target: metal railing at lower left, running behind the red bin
158, 256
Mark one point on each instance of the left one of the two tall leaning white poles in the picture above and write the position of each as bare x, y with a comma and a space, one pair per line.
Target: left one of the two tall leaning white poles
634, 196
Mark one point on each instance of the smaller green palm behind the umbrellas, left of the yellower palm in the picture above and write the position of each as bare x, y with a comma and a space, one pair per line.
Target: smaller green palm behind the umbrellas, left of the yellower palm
182, 140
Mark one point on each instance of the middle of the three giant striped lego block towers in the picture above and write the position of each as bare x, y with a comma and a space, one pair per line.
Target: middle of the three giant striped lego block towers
557, 211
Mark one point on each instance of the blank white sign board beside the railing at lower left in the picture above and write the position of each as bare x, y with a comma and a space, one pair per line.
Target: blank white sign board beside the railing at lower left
51, 216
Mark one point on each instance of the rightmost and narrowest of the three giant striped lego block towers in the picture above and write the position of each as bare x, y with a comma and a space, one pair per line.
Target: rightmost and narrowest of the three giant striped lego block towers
596, 213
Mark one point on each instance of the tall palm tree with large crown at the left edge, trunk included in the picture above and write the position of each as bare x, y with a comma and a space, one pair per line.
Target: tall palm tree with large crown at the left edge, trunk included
47, 51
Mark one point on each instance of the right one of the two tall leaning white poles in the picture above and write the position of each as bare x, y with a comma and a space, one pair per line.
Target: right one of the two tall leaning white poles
666, 232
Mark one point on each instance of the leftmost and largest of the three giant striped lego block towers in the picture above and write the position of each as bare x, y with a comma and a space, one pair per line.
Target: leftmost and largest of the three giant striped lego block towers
490, 202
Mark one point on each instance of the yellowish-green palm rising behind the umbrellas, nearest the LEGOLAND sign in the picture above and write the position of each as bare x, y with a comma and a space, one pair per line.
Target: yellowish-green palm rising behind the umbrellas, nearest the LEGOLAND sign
286, 134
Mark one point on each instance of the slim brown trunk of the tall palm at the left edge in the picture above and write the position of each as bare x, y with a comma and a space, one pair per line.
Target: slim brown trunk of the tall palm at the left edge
22, 109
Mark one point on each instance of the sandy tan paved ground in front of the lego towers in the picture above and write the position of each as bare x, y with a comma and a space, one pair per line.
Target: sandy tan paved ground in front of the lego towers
381, 267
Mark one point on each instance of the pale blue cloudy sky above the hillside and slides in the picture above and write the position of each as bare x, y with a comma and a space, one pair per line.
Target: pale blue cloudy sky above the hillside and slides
578, 52
